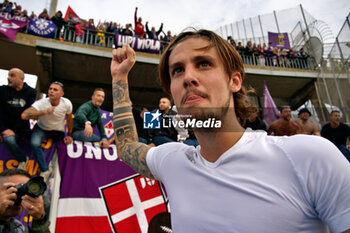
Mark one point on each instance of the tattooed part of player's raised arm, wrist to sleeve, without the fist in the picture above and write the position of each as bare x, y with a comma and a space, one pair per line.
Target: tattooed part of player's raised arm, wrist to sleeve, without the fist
131, 151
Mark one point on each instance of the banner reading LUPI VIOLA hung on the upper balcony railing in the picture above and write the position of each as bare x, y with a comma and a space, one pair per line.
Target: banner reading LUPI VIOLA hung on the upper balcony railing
138, 44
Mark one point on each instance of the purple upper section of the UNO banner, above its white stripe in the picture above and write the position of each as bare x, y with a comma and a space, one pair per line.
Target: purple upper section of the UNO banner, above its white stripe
84, 167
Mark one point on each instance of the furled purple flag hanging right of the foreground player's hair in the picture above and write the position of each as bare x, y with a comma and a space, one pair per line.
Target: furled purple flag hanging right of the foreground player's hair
270, 111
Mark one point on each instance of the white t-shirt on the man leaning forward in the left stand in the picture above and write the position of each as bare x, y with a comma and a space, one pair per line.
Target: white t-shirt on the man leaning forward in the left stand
53, 121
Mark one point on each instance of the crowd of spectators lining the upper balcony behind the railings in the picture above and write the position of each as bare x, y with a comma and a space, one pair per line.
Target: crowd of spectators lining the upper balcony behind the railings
103, 34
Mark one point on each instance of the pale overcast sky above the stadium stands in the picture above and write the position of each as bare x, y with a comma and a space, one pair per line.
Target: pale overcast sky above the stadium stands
180, 14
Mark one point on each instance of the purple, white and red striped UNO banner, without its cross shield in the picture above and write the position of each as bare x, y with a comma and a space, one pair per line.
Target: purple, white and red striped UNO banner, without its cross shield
84, 167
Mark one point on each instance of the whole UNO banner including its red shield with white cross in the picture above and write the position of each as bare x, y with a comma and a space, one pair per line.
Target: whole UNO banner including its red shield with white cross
85, 167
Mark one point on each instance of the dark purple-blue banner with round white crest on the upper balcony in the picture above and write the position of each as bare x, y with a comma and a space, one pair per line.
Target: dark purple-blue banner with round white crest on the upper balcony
42, 27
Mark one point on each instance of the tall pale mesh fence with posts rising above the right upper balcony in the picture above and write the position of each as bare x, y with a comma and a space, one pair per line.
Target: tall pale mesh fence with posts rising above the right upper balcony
302, 28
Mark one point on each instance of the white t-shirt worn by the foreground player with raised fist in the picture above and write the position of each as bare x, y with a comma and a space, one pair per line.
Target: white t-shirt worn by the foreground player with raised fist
262, 184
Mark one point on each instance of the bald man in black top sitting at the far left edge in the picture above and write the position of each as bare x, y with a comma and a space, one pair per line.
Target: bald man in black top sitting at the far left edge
14, 99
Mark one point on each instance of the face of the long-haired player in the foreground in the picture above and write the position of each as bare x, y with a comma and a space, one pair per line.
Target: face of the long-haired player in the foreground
199, 81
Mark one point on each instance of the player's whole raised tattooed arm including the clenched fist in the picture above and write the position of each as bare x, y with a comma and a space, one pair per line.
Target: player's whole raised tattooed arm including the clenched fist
129, 149
